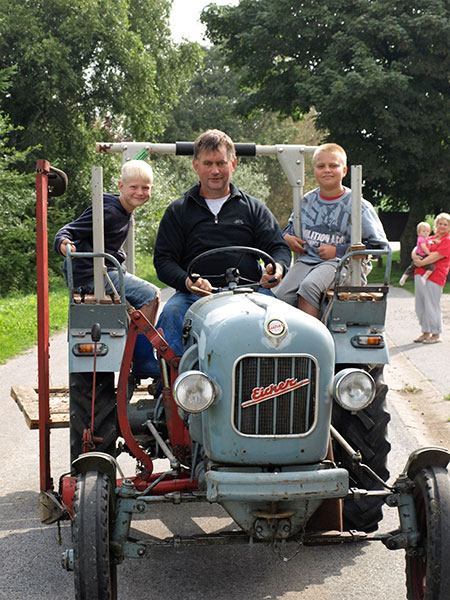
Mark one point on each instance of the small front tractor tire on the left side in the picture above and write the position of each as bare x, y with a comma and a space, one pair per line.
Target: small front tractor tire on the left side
95, 572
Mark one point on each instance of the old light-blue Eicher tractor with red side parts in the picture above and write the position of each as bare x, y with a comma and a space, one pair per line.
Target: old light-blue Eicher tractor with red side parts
277, 416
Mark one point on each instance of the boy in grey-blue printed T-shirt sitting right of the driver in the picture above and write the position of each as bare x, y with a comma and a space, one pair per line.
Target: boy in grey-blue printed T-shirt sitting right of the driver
326, 232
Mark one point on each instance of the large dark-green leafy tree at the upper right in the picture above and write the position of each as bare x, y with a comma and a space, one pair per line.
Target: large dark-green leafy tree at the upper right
376, 72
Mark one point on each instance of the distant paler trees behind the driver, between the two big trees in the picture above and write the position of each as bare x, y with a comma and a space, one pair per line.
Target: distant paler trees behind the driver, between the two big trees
210, 101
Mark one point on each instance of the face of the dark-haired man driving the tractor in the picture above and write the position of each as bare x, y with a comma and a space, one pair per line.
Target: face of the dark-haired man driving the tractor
214, 169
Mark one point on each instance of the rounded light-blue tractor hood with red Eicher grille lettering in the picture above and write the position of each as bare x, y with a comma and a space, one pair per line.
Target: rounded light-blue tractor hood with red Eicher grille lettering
273, 366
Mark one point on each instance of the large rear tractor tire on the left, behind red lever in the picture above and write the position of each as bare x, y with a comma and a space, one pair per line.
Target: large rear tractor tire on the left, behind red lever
105, 417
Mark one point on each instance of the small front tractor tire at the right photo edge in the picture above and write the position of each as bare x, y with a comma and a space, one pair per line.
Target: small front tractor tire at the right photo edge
427, 574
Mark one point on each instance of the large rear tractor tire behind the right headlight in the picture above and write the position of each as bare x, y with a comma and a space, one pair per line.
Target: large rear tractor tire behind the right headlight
366, 431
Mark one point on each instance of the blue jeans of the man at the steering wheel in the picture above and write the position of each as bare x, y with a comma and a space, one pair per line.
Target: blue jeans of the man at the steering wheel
172, 316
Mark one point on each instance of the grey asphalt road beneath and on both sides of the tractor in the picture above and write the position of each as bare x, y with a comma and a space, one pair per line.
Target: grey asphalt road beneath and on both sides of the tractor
30, 552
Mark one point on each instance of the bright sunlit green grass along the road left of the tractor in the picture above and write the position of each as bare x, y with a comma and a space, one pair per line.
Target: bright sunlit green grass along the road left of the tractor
18, 315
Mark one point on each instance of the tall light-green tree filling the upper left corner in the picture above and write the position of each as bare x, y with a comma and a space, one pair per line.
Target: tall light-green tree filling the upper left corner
87, 69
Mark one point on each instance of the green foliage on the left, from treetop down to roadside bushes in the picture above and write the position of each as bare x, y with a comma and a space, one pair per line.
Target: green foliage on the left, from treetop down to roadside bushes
72, 74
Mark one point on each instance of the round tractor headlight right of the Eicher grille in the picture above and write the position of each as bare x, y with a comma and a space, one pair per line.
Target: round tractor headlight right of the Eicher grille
353, 389
